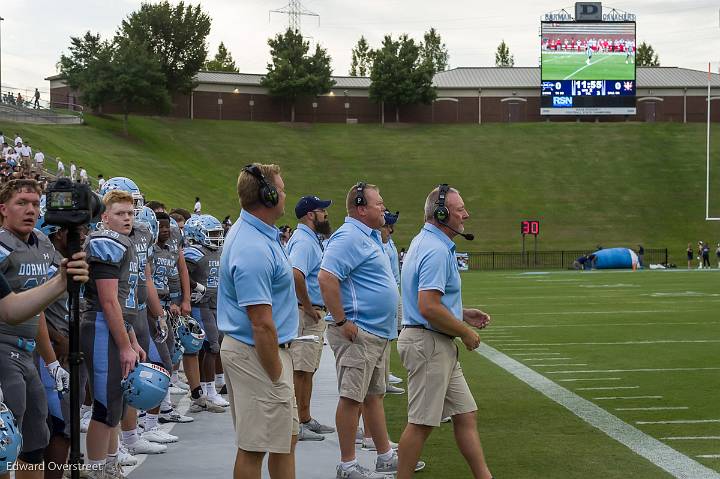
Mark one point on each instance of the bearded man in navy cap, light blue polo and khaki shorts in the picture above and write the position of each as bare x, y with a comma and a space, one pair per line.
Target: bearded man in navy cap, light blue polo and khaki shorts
305, 251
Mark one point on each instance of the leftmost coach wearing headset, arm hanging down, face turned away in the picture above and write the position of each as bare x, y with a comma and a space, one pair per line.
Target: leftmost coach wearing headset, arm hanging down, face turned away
258, 312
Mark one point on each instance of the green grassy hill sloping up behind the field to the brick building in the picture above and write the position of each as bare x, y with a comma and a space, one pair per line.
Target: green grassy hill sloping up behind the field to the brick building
612, 184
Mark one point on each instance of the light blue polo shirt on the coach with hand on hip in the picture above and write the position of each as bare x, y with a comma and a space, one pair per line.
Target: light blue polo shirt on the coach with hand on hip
355, 255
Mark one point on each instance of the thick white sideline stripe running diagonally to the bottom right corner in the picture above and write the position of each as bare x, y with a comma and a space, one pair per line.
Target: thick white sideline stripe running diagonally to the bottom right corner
675, 463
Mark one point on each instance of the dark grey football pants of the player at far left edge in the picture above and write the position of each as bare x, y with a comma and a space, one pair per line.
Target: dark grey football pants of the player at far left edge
24, 395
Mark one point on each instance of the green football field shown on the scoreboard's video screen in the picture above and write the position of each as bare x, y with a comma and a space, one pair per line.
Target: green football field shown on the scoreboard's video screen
573, 66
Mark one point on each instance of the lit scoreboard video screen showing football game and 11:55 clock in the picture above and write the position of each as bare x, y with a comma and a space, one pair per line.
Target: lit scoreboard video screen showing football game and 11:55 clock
588, 68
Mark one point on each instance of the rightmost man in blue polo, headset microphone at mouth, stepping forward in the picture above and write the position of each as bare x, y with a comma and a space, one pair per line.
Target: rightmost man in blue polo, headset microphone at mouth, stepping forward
433, 316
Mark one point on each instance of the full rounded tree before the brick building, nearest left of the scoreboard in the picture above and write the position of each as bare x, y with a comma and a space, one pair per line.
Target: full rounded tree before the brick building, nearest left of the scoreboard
399, 76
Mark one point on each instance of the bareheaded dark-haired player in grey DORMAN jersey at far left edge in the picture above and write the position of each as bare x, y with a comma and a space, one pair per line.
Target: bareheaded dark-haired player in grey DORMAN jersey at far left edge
26, 261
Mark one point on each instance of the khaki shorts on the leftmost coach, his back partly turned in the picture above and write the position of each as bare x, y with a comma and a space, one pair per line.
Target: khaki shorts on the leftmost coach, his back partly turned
264, 413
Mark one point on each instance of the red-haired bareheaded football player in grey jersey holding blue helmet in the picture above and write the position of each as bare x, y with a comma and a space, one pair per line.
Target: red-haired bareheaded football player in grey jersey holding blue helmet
109, 349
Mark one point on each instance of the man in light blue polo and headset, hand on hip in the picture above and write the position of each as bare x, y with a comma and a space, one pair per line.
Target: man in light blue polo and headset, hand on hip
360, 292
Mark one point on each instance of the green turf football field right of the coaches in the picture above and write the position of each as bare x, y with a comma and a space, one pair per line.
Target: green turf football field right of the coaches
642, 347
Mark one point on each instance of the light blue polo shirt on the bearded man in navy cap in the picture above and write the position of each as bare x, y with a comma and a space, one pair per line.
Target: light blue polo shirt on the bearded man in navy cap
305, 253
